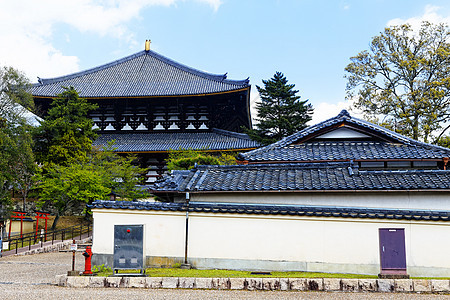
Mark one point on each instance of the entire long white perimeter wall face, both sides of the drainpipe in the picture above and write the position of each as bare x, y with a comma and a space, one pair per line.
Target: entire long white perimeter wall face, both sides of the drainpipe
320, 244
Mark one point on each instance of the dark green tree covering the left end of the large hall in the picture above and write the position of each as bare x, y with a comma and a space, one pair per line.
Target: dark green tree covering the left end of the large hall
66, 133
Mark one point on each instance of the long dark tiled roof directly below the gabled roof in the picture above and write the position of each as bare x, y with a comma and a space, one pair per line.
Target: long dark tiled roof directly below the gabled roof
301, 177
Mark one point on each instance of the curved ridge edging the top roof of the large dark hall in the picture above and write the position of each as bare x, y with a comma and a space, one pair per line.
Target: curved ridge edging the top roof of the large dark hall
180, 66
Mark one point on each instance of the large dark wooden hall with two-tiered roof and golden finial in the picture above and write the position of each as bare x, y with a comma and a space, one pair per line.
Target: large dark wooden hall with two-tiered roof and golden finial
150, 104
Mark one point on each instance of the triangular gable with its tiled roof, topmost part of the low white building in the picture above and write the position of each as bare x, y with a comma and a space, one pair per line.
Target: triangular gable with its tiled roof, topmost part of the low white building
345, 138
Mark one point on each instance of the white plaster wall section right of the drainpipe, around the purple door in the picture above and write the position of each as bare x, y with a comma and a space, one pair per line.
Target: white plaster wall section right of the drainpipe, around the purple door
328, 241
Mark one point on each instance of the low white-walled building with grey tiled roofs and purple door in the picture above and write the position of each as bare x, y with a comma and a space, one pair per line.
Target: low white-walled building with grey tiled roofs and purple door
343, 195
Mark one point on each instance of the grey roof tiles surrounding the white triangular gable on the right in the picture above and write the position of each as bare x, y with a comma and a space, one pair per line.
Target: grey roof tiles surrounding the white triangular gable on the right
400, 146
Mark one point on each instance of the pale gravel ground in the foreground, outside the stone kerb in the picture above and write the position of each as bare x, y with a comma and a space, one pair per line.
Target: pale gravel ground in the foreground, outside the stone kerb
31, 277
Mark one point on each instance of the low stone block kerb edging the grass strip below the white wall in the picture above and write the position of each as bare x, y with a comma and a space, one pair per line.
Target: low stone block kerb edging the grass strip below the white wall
272, 284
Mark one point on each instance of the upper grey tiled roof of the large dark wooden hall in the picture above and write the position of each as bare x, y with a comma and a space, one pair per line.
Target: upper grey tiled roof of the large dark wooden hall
143, 74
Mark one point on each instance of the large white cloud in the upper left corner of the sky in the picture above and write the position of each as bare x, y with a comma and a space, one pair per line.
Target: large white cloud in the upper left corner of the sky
26, 28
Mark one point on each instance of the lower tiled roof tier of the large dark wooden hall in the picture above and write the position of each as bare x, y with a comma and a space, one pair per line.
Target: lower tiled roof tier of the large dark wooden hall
217, 139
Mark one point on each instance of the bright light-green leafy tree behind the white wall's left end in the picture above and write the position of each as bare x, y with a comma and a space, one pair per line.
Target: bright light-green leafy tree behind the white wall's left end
69, 187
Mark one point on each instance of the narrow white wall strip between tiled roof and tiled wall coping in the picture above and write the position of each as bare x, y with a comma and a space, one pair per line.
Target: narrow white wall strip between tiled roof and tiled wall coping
405, 200
